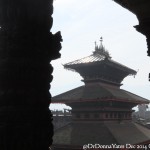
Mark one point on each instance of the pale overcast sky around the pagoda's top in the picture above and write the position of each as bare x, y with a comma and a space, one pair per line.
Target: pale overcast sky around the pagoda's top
82, 22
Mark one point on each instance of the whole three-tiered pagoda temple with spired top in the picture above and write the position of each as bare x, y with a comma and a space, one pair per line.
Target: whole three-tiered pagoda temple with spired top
101, 110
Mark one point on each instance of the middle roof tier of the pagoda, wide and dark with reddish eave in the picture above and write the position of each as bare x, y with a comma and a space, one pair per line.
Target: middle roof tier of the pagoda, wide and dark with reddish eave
98, 92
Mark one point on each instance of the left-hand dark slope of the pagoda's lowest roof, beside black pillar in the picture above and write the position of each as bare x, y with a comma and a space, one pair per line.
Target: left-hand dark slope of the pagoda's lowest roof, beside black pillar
83, 133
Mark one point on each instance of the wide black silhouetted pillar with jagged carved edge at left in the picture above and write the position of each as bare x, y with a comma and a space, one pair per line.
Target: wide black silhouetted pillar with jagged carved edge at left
26, 48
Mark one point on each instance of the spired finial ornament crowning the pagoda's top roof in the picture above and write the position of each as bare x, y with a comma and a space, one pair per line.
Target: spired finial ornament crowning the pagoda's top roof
101, 49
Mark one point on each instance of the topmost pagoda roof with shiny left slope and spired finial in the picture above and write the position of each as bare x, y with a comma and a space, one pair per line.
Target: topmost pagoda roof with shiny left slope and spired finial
99, 57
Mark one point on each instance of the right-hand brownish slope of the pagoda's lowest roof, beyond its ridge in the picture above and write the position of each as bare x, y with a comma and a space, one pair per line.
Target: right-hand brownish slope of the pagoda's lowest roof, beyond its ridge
128, 132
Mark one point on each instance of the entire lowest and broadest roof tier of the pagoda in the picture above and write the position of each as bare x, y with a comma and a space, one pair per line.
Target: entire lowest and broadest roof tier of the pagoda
104, 133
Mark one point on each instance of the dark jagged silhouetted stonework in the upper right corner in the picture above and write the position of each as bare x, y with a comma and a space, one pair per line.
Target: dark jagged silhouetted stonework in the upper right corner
141, 9
